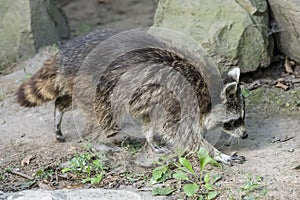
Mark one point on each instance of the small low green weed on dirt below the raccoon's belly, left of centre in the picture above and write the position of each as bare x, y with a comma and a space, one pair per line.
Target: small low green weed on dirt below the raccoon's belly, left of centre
87, 166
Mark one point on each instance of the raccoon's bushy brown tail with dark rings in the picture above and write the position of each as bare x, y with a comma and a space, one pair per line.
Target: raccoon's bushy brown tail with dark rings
40, 88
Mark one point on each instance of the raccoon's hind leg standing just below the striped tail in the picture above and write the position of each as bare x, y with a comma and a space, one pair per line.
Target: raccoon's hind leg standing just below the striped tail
62, 105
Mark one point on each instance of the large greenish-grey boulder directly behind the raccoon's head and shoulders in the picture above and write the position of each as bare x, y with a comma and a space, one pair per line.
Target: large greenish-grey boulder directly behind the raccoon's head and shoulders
235, 33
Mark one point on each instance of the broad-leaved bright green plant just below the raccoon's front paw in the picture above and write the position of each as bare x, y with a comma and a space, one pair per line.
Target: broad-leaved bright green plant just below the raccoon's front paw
195, 181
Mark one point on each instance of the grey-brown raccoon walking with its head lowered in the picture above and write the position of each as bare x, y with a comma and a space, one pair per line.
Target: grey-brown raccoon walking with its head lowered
151, 105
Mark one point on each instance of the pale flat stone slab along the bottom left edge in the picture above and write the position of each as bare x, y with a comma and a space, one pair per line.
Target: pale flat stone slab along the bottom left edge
76, 194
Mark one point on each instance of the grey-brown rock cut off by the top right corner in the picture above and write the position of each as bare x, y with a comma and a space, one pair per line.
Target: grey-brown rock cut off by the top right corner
286, 16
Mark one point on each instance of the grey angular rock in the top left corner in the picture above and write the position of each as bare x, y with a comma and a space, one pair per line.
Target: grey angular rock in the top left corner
27, 25
